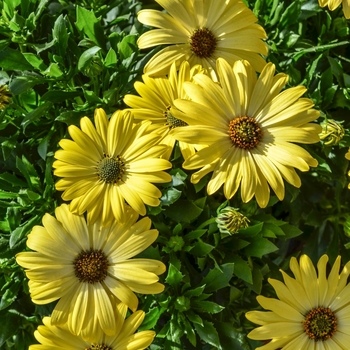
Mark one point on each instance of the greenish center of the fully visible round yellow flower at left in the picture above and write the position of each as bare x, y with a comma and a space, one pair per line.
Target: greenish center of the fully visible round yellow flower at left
110, 170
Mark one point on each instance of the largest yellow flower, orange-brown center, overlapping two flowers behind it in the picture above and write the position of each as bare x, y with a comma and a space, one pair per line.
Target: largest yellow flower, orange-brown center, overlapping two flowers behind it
249, 127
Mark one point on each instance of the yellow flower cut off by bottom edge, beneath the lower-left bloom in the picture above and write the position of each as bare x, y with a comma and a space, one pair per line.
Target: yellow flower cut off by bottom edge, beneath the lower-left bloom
52, 337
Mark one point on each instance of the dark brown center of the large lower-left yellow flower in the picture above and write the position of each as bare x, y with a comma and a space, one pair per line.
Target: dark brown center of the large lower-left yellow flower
91, 266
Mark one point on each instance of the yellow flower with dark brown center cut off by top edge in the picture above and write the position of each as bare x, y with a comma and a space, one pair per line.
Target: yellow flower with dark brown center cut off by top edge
200, 31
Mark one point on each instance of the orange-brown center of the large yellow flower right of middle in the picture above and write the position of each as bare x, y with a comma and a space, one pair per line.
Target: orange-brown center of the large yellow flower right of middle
245, 132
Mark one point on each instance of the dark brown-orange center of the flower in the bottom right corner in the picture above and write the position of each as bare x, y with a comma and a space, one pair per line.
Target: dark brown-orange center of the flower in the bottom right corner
320, 324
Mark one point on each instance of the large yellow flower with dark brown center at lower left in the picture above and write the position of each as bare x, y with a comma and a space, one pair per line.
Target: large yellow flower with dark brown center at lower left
89, 269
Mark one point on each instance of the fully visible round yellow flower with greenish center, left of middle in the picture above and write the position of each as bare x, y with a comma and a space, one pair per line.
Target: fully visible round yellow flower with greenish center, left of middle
108, 164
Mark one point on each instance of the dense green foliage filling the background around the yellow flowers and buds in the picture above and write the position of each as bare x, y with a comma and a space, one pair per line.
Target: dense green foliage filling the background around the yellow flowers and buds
61, 60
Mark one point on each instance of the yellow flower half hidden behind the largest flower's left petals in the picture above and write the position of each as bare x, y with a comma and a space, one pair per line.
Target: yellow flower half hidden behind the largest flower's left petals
155, 103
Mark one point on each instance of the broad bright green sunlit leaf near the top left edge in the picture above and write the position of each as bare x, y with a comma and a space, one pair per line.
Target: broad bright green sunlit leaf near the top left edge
90, 25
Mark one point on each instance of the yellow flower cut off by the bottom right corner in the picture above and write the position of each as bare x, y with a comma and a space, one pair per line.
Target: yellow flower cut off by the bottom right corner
312, 311
